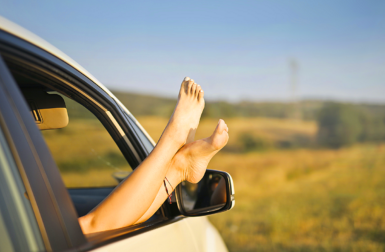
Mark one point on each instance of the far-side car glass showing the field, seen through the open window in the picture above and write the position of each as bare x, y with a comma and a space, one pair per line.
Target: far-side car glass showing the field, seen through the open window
84, 151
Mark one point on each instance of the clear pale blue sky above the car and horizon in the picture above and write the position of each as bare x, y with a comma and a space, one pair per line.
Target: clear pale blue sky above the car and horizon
236, 50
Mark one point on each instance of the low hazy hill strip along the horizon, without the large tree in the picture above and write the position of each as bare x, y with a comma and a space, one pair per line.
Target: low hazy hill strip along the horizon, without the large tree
141, 105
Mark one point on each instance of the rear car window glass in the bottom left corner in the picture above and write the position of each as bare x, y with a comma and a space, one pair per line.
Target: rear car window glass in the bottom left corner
18, 227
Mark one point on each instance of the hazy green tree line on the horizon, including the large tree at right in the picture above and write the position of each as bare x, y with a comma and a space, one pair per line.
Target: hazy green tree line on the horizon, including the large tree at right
339, 124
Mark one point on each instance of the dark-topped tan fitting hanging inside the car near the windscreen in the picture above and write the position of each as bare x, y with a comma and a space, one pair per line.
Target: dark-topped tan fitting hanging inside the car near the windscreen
48, 110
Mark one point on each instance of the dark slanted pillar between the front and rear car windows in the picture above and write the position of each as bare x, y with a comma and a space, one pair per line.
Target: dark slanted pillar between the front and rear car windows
39, 170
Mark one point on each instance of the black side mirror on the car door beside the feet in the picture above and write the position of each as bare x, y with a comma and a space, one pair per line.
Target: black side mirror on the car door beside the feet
213, 194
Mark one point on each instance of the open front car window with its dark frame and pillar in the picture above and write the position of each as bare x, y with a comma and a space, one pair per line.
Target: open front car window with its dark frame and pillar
59, 205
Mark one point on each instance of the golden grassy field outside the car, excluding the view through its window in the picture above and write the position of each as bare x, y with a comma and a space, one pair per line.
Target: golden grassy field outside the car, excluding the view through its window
297, 199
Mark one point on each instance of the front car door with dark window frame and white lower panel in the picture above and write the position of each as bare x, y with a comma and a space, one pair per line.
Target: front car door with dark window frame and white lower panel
54, 209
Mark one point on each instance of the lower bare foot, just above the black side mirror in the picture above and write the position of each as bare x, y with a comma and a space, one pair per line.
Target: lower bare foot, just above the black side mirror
192, 160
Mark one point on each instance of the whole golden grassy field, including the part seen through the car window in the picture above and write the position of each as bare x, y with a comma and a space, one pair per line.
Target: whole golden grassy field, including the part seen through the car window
288, 198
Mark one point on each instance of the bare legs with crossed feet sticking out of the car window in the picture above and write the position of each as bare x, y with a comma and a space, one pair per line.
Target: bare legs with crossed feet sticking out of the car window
176, 156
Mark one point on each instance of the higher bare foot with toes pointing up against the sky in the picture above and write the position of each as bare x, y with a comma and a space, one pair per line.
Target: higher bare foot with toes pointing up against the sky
185, 118
